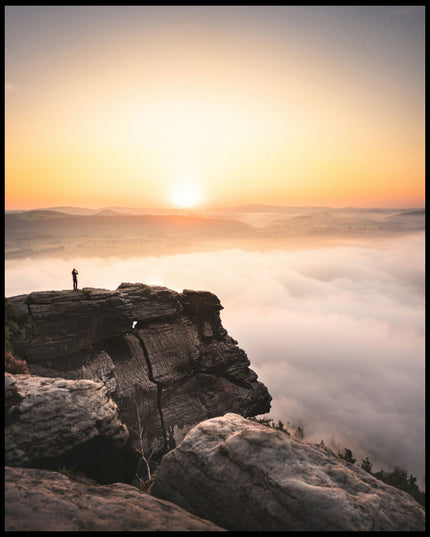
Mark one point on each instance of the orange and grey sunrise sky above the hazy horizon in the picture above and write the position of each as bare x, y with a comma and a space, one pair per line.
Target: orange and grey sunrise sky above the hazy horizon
204, 106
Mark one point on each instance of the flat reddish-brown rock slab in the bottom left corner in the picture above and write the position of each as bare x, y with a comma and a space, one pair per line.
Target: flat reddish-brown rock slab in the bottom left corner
41, 500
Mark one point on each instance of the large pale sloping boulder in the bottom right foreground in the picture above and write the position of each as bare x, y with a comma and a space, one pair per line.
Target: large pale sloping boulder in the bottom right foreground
245, 476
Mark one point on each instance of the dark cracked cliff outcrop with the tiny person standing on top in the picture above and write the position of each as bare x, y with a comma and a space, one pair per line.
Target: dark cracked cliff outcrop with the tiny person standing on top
163, 356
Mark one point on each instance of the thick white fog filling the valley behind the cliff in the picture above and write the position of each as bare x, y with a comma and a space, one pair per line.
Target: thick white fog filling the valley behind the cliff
336, 333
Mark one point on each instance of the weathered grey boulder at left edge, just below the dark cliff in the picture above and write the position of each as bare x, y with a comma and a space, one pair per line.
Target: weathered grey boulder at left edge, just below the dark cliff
53, 422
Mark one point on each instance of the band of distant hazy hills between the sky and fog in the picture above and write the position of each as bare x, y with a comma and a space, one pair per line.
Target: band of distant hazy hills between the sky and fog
102, 232
